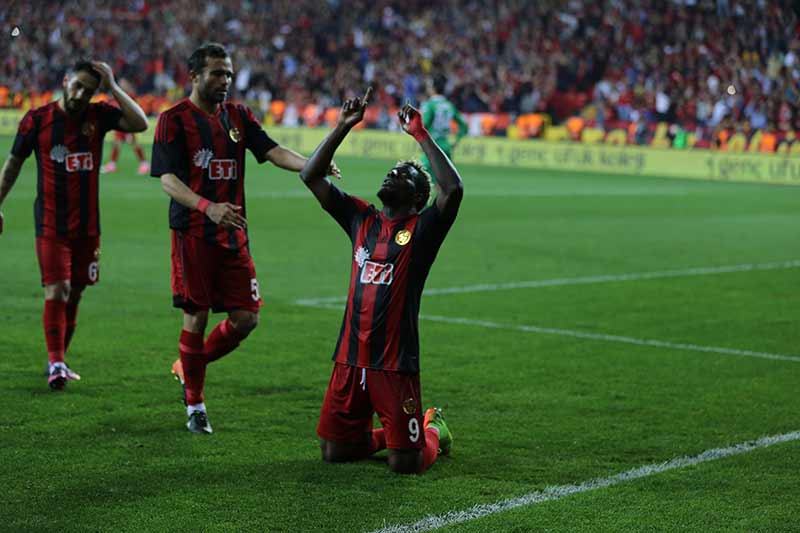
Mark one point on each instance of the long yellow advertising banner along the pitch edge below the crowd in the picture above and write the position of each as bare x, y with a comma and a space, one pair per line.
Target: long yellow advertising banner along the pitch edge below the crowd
537, 154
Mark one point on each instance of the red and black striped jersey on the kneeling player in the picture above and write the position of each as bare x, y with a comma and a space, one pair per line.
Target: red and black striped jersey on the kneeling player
391, 261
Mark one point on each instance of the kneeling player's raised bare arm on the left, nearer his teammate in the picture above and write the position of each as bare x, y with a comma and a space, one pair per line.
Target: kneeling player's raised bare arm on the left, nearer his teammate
314, 172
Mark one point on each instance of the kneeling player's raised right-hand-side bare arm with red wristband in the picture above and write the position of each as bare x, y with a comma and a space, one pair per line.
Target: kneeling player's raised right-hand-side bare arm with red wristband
452, 189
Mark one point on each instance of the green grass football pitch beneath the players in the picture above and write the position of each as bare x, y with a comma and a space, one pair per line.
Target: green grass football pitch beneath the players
528, 410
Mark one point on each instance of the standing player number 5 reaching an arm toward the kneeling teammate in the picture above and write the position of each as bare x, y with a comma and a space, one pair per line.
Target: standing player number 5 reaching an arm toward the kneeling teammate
199, 156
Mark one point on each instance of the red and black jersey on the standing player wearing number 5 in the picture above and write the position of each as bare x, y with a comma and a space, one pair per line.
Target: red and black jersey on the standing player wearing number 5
207, 153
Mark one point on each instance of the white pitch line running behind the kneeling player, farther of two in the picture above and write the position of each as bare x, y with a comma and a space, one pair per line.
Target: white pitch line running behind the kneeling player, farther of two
611, 278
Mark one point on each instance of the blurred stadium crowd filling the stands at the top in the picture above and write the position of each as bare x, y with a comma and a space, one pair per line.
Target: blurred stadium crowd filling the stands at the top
701, 64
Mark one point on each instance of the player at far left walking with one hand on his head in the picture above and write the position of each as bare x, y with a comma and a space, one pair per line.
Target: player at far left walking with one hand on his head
67, 137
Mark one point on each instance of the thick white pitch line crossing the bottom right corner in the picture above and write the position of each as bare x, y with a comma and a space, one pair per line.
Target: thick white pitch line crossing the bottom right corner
562, 491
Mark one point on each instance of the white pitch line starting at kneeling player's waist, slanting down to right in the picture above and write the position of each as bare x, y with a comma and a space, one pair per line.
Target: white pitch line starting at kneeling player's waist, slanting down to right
613, 338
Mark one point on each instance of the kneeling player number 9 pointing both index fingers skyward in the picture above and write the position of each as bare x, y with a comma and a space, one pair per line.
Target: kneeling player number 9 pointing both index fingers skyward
376, 359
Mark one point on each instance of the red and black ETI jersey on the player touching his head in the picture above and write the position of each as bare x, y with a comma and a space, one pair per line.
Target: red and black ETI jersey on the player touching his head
69, 151
